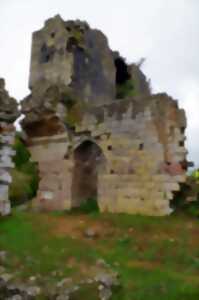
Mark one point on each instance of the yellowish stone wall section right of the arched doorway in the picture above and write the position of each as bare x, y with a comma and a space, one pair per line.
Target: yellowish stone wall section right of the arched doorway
144, 155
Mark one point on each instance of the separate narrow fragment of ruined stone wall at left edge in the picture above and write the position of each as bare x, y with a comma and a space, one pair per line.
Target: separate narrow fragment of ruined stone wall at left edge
8, 114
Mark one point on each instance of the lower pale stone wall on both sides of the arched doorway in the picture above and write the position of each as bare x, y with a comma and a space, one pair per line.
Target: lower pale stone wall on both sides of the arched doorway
144, 159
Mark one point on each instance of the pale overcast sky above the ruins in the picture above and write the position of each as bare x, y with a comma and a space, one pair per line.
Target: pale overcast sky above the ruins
166, 32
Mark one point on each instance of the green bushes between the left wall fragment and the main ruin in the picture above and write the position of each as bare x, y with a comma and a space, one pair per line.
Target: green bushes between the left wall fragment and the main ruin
25, 175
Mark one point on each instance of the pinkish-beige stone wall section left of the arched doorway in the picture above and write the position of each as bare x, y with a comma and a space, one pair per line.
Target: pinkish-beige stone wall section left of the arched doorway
54, 191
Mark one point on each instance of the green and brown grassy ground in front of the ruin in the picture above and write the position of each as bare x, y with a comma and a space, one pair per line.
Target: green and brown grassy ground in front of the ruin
157, 258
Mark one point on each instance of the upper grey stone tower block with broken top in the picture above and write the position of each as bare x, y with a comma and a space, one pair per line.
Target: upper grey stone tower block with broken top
72, 54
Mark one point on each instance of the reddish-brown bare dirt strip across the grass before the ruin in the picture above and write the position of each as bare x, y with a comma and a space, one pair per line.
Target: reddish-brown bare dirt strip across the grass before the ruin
74, 226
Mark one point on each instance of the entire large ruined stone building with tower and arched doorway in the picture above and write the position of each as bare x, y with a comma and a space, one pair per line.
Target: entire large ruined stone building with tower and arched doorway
89, 143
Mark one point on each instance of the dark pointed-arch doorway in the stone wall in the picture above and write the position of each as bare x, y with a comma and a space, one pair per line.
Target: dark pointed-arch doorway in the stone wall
89, 161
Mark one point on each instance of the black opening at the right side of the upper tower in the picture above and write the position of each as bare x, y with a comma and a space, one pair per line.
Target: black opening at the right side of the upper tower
122, 74
